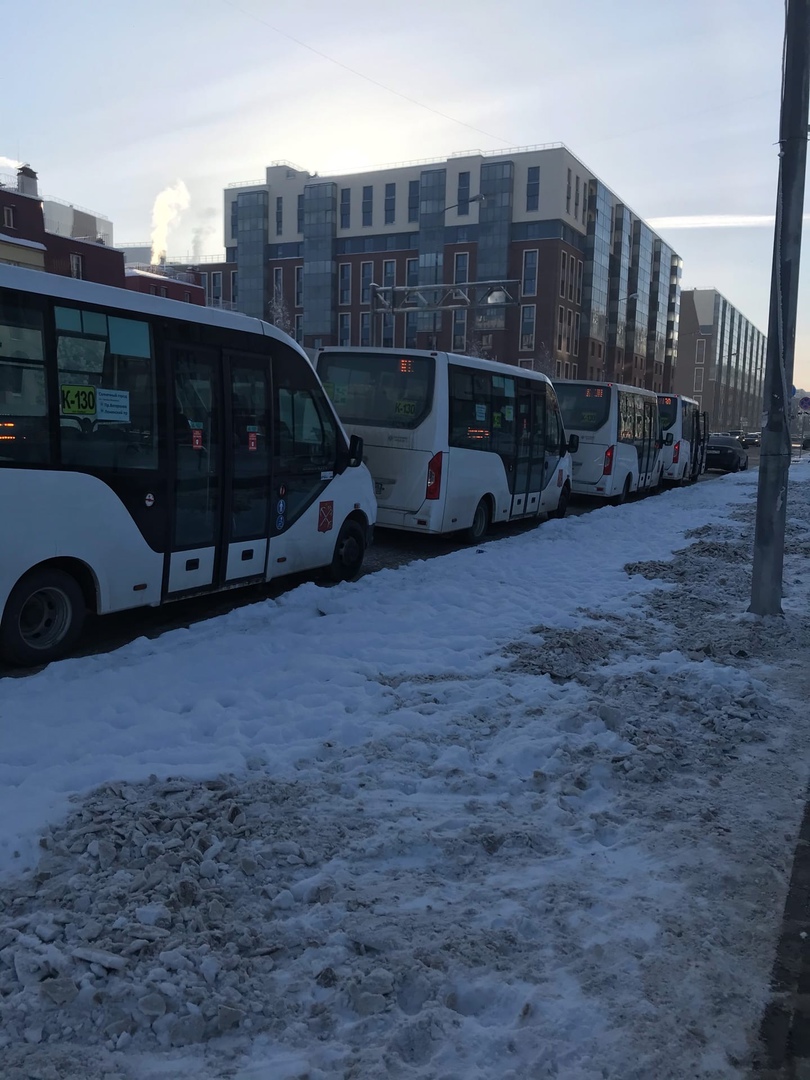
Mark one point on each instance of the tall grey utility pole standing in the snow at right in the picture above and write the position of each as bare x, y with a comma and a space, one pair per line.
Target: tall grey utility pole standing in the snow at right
769, 543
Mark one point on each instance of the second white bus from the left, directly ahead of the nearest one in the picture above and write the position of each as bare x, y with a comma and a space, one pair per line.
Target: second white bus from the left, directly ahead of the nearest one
453, 443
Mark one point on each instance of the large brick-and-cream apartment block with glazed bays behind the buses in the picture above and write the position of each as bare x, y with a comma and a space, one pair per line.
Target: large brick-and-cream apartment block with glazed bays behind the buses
590, 290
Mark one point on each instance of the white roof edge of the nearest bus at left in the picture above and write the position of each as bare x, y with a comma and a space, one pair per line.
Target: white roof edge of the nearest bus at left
111, 296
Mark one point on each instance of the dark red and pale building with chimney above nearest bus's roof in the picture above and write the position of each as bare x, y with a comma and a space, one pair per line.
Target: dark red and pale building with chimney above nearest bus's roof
48, 235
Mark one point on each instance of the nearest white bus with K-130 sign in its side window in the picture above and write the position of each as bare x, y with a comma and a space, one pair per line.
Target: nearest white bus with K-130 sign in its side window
152, 451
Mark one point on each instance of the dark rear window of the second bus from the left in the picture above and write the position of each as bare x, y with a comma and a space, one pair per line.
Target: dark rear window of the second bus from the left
381, 391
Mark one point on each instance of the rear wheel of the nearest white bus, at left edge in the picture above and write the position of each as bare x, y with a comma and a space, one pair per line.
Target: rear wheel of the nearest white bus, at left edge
44, 618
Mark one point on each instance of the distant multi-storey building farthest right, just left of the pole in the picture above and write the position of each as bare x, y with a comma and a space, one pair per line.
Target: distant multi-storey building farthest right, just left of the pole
721, 361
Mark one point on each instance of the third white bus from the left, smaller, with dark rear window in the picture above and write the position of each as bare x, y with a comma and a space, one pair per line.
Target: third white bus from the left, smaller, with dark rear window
619, 438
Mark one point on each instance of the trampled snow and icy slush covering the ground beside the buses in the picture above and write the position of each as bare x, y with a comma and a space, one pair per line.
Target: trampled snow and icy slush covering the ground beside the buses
525, 811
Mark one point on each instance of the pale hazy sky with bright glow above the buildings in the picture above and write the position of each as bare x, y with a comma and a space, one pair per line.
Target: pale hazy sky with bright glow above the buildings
674, 106
